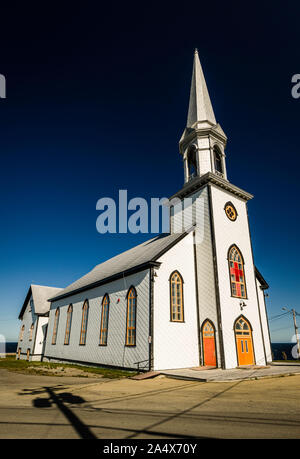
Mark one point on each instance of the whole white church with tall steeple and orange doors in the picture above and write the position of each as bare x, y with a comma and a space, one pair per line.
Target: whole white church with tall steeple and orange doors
186, 299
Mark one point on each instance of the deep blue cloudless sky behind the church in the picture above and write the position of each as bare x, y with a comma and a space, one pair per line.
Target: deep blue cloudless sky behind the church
97, 101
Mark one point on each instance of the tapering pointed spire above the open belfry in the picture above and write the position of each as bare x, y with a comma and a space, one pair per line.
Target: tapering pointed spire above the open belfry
200, 108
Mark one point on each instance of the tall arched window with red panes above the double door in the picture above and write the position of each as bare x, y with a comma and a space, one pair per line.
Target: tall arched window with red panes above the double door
236, 272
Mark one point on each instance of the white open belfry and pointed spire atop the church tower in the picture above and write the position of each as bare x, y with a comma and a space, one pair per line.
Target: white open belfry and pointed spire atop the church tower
203, 142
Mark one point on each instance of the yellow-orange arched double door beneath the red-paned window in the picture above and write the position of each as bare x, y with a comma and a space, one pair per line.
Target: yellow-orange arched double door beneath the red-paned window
244, 342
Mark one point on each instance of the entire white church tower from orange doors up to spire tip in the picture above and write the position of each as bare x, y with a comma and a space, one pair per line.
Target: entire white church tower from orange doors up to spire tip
228, 289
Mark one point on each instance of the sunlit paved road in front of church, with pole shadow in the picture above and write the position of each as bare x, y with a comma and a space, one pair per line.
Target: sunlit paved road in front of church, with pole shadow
59, 407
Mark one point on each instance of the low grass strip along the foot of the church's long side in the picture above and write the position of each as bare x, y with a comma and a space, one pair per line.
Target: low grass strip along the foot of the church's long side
42, 368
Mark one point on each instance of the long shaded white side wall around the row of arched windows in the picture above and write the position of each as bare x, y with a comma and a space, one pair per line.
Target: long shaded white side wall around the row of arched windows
115, 353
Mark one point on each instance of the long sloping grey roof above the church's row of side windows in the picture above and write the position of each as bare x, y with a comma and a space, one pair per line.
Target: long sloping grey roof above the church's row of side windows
133, 260
